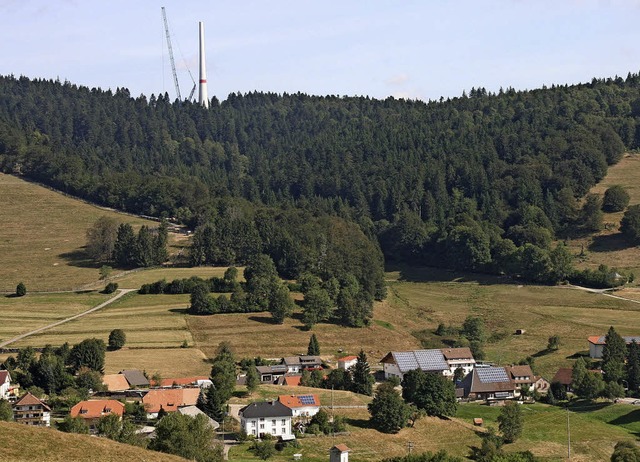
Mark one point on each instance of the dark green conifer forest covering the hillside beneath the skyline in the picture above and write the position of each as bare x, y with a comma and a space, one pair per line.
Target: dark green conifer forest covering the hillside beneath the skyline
485, 180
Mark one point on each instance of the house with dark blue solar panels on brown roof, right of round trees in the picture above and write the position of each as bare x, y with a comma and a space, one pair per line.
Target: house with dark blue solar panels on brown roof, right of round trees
489, 384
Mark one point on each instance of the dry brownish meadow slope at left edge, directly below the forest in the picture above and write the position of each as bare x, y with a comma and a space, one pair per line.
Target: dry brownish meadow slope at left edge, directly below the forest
43, 233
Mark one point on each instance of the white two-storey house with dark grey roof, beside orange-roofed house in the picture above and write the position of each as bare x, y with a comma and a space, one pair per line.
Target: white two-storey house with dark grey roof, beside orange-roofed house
267, 417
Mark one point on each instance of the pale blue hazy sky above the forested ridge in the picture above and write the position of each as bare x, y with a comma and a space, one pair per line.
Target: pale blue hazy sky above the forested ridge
416, 49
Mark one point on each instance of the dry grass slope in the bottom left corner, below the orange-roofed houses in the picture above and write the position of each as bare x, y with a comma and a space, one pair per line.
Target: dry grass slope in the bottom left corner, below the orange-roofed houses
23, 443
